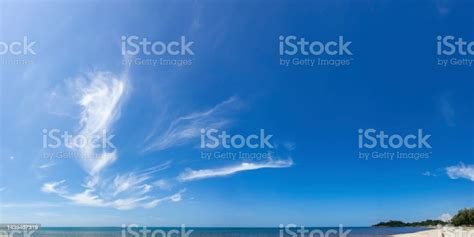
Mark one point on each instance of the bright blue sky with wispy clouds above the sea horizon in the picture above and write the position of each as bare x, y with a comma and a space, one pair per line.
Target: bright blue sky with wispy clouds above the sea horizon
76, 81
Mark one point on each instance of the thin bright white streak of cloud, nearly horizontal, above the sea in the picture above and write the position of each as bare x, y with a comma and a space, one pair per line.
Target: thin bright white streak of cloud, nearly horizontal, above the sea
190, 175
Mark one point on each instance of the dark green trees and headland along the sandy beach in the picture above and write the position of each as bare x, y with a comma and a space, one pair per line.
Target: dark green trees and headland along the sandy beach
465, 217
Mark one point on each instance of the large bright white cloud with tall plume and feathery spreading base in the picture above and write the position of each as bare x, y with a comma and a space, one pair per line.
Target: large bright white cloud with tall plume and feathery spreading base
100, 96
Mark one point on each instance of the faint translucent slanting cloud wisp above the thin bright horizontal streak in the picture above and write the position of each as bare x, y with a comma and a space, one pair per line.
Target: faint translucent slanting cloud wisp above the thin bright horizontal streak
186, 128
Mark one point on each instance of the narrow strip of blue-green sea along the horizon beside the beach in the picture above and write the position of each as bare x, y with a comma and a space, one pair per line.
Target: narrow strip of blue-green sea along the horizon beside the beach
212, 232
